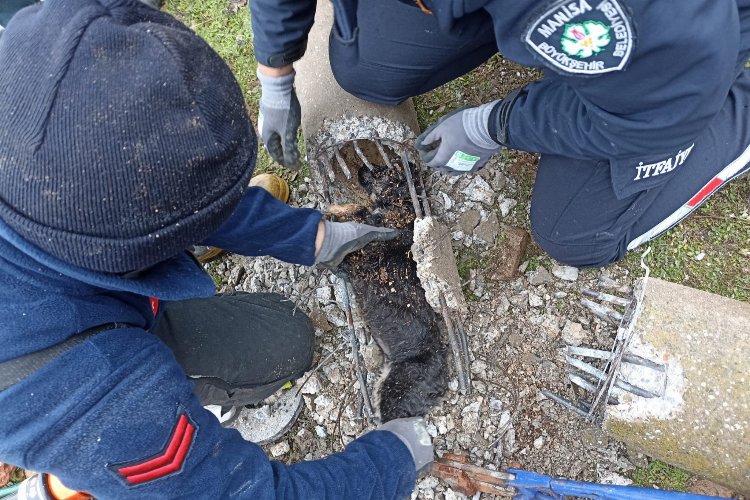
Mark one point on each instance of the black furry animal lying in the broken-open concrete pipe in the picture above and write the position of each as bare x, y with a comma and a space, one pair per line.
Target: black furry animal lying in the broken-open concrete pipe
386, 286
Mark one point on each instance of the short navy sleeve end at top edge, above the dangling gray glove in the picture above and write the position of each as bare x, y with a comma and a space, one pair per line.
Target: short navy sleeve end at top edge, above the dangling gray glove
280, 29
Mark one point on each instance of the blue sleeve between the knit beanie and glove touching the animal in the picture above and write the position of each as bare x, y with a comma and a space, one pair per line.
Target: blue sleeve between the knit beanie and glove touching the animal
263, 225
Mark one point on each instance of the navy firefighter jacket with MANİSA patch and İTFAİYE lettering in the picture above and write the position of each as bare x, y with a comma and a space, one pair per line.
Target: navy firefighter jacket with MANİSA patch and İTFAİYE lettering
665, 73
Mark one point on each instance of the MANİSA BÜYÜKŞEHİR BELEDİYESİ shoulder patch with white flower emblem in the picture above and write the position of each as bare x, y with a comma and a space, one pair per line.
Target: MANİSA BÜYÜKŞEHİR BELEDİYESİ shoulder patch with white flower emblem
582, 37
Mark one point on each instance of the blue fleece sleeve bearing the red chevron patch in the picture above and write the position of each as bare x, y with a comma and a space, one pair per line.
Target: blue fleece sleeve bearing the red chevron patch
116, 417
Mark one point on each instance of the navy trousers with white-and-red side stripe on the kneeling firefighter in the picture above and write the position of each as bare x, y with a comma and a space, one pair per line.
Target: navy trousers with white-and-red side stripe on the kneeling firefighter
386, 52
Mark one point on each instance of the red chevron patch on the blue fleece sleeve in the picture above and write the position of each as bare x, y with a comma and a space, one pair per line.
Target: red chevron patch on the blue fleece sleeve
167, 462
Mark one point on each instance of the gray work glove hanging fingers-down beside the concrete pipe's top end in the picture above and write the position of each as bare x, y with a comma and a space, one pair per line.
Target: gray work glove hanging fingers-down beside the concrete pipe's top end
279, 118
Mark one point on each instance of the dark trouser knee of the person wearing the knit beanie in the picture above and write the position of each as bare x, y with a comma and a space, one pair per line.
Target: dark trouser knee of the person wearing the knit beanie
237, 348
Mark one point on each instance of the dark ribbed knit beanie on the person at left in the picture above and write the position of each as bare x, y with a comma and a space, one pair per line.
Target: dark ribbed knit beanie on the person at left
123, 137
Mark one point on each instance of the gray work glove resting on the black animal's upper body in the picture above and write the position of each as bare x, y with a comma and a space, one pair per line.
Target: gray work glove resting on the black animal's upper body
343, 238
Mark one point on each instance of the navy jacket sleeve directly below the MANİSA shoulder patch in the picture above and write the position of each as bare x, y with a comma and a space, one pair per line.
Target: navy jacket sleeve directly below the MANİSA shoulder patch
677, 80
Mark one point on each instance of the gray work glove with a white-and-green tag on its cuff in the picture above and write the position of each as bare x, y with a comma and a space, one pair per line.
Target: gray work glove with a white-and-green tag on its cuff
459, 142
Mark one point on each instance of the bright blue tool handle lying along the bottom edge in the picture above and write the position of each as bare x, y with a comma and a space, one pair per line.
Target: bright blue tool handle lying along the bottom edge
536, 486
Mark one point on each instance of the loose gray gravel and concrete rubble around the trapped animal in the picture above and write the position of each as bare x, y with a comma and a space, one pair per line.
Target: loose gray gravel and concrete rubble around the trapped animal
515, 330
